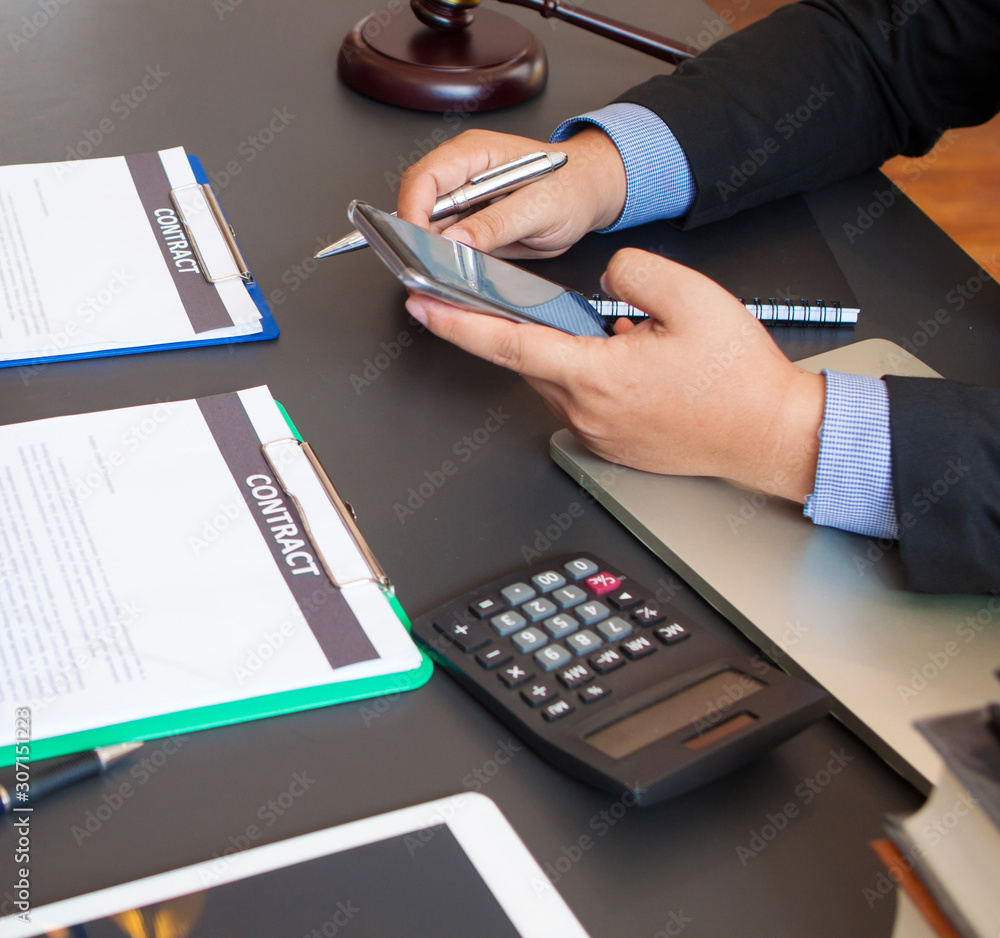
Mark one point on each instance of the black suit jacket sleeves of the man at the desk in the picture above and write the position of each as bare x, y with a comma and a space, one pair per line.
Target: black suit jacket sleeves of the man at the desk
822, 90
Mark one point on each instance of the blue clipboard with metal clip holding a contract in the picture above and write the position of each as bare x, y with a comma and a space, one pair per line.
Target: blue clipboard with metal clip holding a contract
202, 263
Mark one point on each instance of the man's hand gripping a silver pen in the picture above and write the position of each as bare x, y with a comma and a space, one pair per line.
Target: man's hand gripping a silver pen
540, 220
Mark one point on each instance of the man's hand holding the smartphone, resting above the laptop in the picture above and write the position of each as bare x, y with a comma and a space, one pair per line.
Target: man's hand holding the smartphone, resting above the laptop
699, 388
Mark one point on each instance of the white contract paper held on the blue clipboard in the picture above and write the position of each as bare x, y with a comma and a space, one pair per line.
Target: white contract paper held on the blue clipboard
81, 268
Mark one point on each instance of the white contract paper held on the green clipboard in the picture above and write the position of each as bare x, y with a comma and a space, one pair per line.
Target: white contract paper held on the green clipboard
136, 581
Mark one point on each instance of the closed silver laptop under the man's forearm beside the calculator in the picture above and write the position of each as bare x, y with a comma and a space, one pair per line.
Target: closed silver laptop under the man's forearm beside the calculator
824, 604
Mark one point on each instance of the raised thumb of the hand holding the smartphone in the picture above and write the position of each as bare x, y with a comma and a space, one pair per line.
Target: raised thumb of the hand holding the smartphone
672, 295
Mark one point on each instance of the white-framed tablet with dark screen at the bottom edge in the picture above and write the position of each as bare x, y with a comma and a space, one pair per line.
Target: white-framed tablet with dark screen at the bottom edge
452, 868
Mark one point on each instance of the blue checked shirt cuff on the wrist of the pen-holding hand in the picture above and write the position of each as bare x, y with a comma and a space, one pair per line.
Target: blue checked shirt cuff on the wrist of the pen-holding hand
658, 178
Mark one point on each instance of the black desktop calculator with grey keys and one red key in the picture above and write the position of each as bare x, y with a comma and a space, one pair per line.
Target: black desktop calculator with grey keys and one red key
611, 684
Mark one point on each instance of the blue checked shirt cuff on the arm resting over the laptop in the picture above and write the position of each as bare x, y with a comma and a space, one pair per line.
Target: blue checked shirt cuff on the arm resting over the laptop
854, 473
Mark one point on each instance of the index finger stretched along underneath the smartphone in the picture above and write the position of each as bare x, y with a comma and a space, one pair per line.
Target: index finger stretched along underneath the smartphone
531, 350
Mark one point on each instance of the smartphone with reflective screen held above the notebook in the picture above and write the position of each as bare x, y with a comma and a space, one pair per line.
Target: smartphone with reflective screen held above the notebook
427, 263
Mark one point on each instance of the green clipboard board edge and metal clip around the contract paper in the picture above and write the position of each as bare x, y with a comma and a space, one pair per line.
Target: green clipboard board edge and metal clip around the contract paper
264, 705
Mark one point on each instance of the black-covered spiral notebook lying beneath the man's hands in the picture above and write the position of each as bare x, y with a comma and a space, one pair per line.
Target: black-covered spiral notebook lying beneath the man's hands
773, 258
